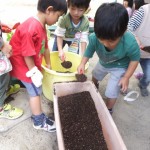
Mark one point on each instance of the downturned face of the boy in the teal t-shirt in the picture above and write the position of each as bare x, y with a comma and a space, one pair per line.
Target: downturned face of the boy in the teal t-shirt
110, 44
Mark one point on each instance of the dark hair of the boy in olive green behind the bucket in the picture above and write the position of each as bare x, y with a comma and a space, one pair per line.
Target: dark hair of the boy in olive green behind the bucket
79, 3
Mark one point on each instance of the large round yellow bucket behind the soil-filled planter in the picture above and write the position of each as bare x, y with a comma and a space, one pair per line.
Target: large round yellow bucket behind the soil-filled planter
59, 73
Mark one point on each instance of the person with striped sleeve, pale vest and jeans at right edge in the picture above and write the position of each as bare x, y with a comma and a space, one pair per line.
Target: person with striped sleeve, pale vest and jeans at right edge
139, 25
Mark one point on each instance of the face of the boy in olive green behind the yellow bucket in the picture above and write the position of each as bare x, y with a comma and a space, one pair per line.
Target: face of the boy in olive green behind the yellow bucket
76, 13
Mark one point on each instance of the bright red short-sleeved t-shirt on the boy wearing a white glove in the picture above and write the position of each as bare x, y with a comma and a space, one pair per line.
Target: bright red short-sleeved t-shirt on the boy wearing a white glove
30, 39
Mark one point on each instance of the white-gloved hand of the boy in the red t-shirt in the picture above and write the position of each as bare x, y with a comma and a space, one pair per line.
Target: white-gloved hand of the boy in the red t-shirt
36, 76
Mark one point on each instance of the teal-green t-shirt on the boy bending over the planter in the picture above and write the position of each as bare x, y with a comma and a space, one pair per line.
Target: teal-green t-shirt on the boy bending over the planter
126, 50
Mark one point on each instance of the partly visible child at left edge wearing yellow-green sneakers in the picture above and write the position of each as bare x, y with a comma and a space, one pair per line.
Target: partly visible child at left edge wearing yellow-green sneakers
6, 110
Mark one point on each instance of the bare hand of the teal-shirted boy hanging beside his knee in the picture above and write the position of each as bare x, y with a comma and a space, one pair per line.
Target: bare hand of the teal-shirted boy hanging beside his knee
124, 82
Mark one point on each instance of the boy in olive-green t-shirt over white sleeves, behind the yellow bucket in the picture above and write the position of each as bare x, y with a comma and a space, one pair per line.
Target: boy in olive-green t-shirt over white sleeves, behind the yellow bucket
73, 28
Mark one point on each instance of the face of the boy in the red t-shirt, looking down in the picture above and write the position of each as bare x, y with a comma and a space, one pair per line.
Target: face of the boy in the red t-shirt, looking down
53, 17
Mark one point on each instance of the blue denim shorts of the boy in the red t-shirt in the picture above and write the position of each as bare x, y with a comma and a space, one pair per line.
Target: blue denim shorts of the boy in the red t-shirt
32, 89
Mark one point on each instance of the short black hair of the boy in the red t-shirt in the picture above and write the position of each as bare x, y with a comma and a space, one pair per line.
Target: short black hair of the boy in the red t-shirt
58, 5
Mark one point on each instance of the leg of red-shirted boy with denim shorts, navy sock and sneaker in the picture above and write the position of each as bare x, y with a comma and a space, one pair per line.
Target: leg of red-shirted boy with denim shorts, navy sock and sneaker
40, 121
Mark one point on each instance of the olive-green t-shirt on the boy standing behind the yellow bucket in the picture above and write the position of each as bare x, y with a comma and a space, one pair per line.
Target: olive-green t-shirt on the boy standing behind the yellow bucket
66, 23
